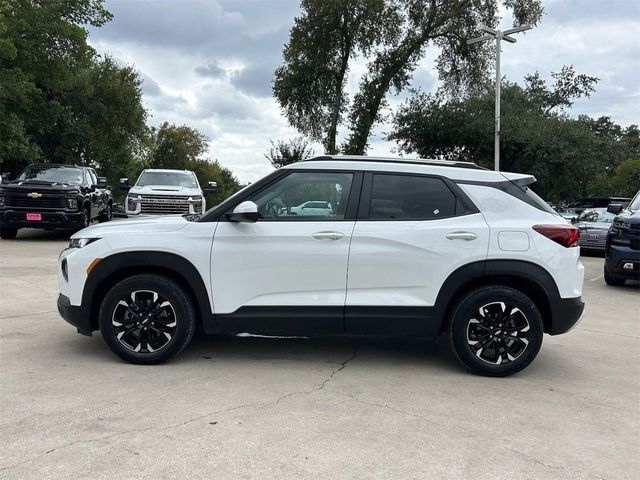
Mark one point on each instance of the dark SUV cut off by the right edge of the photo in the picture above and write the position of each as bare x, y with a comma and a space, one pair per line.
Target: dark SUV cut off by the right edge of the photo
622, 251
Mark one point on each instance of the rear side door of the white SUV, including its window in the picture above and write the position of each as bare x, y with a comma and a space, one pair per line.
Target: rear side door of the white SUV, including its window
412, 232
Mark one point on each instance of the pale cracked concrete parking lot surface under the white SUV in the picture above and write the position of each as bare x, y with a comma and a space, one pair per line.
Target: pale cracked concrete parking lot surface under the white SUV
232, 407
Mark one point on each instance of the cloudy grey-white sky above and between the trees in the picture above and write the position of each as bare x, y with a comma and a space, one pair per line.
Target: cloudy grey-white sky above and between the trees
209, 64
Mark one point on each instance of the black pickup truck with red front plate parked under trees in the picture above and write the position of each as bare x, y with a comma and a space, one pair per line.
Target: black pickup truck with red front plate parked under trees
53, 197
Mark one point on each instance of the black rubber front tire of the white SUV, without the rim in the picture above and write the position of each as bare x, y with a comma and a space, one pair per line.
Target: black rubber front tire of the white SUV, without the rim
180, 301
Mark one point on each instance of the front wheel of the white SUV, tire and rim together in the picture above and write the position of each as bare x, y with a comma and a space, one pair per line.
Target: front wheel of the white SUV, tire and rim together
138, 336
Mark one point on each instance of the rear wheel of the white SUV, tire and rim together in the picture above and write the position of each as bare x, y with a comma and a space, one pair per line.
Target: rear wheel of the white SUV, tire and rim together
478, 327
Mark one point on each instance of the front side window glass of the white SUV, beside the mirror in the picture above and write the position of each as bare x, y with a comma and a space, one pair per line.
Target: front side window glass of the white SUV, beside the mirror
305, 196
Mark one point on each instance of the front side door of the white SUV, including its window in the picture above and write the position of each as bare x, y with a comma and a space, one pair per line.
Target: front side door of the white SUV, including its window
287, 272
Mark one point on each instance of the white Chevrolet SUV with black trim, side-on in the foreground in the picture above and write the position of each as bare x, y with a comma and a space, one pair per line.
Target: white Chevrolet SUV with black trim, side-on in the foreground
411, 247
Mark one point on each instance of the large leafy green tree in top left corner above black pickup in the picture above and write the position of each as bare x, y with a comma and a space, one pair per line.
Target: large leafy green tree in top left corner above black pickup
42, 47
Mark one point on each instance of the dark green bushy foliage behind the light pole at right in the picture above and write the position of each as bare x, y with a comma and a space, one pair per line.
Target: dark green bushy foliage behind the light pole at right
569, 157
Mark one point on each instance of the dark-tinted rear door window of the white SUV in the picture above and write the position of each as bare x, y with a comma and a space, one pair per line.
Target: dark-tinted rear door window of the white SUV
404, 197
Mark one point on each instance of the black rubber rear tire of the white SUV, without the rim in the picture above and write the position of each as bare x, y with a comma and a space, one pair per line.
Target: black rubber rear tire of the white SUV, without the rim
466, 309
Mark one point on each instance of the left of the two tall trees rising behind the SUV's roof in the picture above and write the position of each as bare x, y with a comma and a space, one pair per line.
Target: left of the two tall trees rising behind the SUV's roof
310, 86
